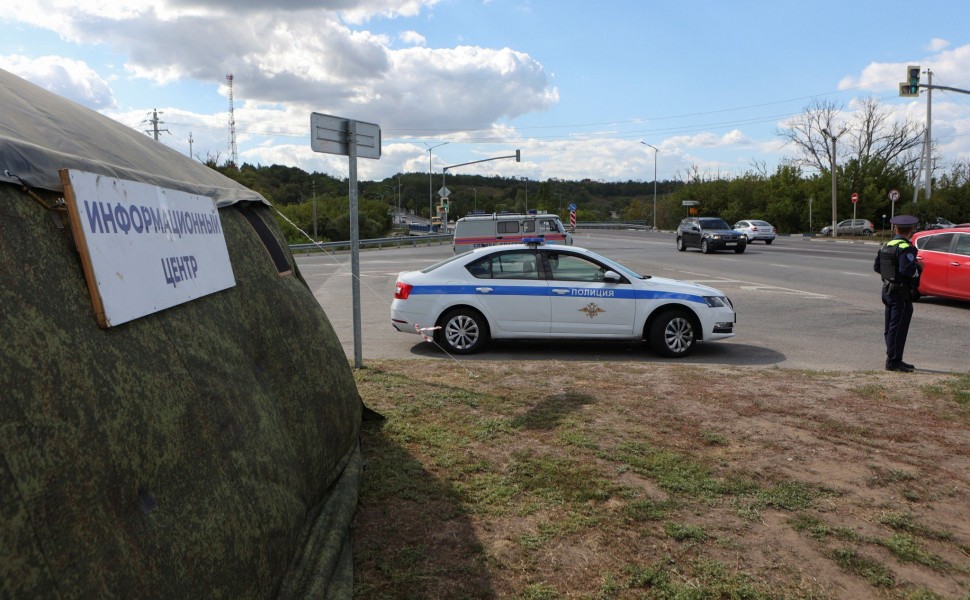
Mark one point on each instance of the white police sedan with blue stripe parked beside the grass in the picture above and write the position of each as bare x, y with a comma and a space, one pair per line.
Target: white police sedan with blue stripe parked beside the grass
534, 291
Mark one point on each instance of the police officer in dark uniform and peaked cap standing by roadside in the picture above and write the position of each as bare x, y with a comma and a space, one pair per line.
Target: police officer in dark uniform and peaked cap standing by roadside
896, 262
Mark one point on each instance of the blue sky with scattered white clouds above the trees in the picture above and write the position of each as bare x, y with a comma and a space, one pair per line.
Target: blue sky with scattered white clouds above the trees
575, 85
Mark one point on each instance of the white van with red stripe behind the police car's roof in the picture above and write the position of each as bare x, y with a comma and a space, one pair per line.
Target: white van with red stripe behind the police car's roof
477, 231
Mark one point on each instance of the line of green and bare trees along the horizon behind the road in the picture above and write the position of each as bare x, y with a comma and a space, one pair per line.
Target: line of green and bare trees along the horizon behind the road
875, 154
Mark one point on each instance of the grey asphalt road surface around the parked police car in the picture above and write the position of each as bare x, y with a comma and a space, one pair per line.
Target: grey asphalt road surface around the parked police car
801, 303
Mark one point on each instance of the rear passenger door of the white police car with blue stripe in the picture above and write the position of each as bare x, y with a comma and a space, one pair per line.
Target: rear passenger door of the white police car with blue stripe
510, 291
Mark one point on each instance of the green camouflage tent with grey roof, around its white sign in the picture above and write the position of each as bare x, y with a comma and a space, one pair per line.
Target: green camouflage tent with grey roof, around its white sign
209, 450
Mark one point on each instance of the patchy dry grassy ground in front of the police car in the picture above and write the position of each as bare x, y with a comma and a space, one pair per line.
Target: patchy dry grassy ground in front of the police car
541, 480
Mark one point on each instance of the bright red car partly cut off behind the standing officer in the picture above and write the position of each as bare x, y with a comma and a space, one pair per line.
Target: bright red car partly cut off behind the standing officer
945, 257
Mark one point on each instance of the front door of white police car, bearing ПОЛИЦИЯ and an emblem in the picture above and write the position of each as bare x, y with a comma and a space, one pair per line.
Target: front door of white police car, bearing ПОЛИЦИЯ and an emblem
582, 303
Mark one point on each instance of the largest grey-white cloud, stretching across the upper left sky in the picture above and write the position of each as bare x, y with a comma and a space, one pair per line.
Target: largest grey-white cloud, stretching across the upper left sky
311, 60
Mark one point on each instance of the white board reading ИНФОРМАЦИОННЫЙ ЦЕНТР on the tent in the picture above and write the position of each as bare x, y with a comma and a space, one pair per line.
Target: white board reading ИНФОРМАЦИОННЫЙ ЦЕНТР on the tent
144, 248
